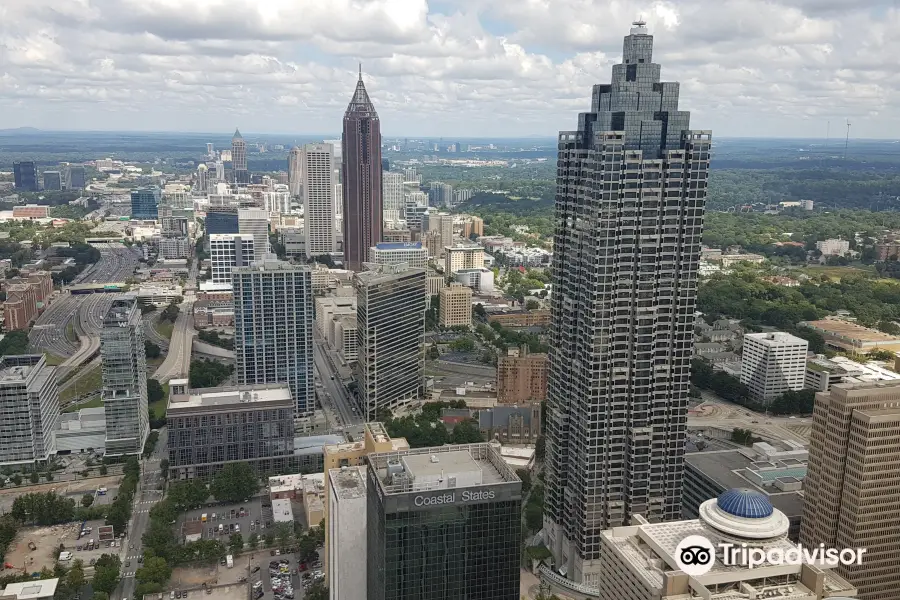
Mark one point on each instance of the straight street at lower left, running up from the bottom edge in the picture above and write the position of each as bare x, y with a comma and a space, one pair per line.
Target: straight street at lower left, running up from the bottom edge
147, 495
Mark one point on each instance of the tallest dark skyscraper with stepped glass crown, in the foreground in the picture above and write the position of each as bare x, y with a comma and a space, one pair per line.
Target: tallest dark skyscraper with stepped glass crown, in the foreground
630, 199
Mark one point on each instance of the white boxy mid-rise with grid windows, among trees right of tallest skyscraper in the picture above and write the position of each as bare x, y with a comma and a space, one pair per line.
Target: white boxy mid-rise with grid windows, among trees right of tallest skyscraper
773, 363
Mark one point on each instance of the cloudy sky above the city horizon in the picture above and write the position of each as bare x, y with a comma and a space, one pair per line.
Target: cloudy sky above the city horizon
467, 68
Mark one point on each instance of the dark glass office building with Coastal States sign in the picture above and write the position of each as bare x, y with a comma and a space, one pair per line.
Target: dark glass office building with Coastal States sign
443, 523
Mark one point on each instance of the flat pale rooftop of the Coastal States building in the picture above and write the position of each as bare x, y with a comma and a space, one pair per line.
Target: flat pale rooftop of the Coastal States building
423, 469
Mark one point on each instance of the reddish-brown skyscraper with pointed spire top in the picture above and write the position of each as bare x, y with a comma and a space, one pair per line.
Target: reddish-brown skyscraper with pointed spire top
361, 149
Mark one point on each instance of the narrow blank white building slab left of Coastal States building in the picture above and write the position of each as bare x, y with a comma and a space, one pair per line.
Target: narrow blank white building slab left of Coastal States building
347, 545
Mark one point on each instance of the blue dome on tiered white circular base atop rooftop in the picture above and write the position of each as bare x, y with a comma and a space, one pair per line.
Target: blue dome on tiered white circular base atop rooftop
744, 513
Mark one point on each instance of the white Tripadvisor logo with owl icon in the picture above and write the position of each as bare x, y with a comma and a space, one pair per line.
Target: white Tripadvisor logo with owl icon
696, 555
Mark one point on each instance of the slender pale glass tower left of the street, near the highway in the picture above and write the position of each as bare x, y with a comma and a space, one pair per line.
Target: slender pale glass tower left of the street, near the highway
124, 373
